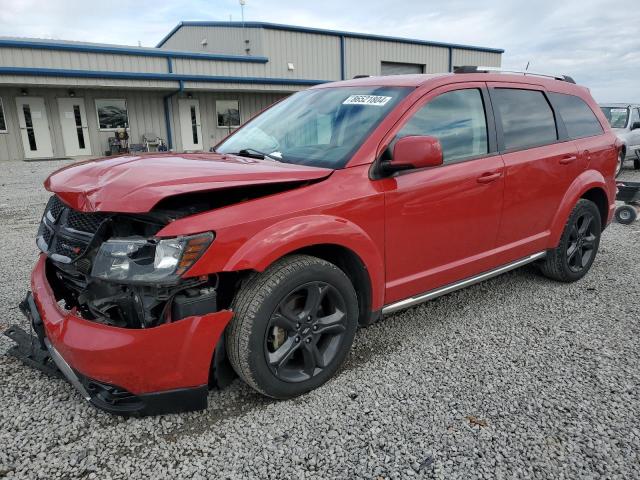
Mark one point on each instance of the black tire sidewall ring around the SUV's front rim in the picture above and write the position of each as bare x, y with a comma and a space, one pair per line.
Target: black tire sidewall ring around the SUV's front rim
261, 373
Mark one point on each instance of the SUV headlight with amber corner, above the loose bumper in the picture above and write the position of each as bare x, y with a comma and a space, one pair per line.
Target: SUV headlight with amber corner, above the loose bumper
139, 260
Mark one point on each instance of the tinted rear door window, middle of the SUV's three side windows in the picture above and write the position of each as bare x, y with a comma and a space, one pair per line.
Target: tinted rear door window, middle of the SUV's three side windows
526, 118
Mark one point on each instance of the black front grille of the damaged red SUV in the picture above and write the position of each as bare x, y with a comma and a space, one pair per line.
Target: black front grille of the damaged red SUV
65, 234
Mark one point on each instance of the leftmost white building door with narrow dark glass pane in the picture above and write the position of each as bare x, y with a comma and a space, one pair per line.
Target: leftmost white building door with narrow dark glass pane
34, 127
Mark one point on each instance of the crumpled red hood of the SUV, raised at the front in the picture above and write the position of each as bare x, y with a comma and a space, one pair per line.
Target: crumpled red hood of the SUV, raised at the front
134, 184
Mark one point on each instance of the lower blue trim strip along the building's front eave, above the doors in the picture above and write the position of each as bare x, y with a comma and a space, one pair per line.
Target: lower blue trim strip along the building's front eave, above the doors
174, 77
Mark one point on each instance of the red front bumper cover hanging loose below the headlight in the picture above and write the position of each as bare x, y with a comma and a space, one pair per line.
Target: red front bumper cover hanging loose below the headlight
176, 355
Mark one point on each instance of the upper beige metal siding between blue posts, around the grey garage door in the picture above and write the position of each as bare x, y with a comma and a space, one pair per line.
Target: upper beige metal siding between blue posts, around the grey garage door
364, 57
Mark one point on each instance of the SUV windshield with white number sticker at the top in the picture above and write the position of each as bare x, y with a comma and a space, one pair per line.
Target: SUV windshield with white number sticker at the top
319, 127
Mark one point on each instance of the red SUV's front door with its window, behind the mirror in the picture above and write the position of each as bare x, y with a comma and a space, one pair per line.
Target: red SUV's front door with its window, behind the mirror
441, 223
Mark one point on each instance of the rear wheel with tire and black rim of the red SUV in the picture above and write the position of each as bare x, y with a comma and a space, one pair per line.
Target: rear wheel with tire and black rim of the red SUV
574, 255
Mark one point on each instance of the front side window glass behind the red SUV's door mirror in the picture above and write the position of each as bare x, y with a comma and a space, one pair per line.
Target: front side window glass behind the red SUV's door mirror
455, 118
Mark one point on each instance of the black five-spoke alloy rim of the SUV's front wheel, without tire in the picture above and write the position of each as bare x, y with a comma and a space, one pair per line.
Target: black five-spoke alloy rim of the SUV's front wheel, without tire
306, 331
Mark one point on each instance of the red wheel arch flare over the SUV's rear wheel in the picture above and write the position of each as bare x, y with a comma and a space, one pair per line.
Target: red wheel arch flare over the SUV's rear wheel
584, 182
